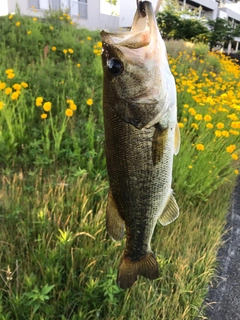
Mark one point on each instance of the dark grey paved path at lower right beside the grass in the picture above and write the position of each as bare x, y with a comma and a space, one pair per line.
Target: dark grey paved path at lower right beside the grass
223, 300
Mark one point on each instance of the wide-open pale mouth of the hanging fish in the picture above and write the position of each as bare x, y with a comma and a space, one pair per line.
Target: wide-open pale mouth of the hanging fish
143, 31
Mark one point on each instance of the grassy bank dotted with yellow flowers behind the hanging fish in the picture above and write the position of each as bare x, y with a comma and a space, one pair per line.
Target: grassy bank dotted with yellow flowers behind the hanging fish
56, 260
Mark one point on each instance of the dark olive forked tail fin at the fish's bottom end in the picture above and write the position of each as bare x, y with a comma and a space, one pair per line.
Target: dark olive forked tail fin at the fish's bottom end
129, 270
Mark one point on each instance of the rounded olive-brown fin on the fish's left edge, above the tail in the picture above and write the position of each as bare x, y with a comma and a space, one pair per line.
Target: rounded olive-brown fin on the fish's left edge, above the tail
114, 222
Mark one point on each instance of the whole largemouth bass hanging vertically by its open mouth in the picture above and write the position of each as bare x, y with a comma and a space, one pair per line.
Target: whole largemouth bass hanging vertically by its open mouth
141, 138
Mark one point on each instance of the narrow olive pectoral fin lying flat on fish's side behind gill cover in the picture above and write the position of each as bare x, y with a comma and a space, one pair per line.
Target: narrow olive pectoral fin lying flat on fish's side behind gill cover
158, 144
